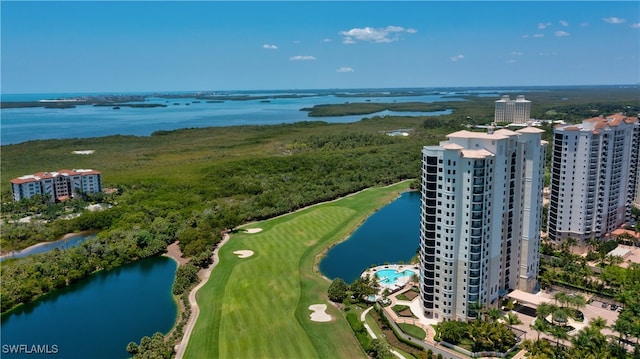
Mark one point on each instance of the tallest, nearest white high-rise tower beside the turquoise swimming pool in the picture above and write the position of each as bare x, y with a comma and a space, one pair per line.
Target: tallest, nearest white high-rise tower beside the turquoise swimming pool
480, 219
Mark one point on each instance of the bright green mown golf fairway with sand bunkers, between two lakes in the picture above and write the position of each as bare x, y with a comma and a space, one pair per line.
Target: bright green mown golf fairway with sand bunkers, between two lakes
258, 307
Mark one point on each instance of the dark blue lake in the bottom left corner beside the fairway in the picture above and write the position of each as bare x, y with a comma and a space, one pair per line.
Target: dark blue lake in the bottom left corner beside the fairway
97, 317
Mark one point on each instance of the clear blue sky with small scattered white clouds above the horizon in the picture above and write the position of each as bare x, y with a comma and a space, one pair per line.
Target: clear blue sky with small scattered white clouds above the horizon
54, 47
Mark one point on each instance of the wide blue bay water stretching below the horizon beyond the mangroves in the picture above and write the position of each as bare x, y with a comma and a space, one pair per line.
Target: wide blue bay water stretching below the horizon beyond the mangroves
24, 124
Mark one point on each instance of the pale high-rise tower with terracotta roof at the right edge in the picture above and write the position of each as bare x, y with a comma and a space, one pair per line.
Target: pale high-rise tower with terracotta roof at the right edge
594, 177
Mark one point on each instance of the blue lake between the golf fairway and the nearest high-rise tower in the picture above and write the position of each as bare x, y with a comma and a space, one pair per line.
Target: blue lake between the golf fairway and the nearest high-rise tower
391, 234
